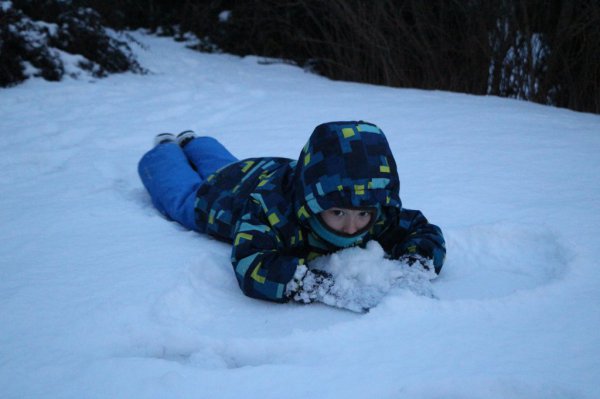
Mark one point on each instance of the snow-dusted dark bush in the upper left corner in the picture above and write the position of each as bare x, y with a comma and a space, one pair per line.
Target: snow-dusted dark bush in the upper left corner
36, 37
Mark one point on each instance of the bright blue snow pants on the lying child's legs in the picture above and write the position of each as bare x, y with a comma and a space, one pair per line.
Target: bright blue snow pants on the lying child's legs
172, 175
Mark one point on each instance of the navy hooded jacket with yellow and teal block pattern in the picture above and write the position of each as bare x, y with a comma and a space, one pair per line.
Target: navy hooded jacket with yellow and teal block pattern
267, 207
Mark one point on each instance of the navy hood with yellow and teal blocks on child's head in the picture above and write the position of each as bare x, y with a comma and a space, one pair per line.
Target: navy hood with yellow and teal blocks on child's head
345, 164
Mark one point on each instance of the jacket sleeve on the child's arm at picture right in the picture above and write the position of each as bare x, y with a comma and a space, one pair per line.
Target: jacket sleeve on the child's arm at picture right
411, 233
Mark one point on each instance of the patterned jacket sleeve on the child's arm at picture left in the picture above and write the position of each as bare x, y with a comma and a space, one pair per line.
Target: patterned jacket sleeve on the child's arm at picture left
261, 266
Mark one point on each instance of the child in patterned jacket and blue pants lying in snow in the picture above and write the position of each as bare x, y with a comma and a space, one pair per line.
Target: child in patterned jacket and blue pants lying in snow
280, 213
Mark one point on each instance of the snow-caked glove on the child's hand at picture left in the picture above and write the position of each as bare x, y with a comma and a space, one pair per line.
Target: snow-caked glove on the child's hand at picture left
309, 285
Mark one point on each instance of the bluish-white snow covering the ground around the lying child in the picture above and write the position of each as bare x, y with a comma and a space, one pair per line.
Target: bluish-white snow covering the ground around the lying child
100, 297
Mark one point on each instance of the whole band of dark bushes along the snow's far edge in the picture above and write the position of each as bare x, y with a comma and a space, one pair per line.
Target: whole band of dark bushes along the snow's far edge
542, 51
